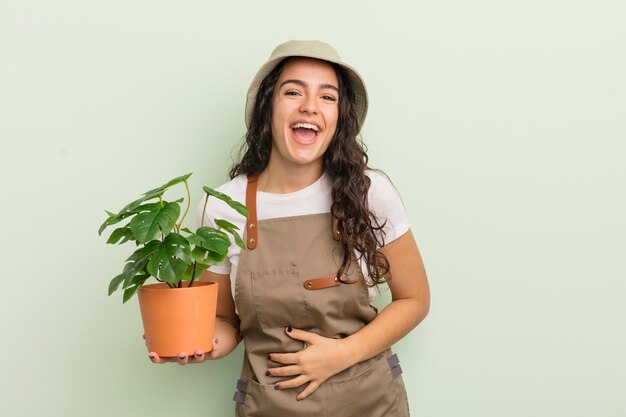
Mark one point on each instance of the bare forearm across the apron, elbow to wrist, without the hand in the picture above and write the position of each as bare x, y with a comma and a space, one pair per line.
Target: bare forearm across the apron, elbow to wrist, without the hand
393, 323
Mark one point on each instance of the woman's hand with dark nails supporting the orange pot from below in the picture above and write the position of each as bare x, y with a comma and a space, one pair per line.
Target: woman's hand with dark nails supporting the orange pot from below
225, 342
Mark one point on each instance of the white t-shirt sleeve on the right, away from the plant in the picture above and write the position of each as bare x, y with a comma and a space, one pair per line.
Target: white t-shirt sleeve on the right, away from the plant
387, 206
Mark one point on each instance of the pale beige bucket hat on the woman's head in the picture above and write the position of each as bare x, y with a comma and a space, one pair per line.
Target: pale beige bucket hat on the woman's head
309, 49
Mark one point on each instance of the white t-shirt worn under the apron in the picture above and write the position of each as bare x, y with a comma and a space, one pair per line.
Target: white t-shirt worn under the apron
383, 199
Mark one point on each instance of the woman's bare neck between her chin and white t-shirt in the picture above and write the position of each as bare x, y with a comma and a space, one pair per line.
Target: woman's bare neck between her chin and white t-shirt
279, 178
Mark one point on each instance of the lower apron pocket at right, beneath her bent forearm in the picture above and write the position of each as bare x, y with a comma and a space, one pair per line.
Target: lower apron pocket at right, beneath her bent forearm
372, 392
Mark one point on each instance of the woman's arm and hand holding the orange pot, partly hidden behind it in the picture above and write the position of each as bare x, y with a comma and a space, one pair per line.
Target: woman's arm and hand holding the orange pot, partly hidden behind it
226, 325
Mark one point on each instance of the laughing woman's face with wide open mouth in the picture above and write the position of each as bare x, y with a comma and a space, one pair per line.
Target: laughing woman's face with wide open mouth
305, 108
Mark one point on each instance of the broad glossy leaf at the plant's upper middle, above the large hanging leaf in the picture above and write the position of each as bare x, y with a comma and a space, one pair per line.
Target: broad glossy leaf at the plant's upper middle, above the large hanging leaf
154, 220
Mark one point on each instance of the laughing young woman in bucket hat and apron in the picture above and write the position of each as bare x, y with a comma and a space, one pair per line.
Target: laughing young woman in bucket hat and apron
323, 231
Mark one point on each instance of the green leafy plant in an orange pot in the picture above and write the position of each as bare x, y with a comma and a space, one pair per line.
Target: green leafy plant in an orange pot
178, 312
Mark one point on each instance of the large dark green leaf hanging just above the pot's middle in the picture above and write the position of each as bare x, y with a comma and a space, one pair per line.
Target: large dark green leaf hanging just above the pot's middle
171, 260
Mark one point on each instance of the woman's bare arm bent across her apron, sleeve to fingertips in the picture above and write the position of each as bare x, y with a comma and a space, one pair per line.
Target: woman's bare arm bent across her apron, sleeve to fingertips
325, 357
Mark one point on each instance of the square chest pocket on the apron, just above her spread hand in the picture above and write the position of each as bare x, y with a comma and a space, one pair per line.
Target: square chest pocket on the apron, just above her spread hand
278, 298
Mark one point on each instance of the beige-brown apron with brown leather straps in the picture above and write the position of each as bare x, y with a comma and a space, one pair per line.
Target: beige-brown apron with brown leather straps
286, 277
